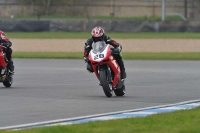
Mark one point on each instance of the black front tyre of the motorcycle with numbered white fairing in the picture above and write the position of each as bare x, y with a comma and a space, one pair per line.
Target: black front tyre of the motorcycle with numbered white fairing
107, 88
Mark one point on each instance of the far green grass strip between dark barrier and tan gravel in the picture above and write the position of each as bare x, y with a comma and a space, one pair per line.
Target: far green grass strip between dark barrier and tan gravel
85, 35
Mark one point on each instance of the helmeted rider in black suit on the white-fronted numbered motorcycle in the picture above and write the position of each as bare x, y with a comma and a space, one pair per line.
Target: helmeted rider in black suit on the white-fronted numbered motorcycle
98, 34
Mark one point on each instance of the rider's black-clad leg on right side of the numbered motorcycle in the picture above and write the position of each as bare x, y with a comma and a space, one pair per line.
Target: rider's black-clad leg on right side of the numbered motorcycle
121, 64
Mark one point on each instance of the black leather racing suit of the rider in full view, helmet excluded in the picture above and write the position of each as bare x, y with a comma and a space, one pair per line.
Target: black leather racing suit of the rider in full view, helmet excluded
108, 40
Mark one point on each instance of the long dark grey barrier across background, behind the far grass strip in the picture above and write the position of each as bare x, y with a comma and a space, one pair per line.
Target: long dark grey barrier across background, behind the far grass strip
81, 25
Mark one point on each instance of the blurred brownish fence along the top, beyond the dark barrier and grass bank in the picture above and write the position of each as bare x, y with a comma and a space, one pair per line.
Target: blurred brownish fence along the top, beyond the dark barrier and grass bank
186, 9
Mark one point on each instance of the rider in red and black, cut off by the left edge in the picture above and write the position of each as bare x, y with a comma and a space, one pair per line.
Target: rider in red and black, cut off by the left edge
4, 41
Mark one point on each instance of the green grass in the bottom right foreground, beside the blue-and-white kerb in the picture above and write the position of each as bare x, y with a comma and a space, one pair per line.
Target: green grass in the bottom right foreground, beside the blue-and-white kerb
183, 121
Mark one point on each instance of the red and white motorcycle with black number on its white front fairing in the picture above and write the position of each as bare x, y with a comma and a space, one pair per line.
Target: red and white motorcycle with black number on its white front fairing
106, 69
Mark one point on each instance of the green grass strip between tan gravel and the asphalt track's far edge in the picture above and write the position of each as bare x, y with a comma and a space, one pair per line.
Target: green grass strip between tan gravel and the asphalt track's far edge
135, 56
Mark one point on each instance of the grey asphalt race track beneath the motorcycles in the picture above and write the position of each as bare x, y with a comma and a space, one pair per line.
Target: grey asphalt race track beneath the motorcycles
49, 89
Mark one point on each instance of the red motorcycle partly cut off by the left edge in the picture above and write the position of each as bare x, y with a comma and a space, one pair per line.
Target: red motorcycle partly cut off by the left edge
5, 75
